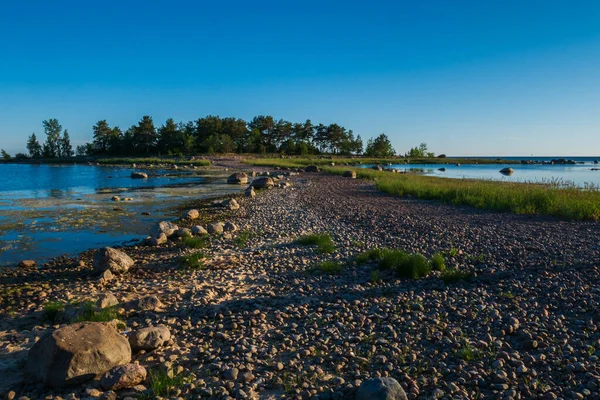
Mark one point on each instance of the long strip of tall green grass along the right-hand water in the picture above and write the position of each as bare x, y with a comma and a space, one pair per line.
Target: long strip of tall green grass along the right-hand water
556, 199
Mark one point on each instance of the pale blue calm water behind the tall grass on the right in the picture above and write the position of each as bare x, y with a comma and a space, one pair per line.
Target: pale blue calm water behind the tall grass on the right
578, 174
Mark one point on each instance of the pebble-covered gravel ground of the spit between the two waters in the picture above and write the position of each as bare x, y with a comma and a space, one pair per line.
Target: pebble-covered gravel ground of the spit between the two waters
259, 322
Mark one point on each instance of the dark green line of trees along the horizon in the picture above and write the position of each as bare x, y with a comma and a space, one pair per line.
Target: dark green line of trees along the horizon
211, 134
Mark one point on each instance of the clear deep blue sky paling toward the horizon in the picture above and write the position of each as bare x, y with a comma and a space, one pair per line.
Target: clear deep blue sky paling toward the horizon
482, 77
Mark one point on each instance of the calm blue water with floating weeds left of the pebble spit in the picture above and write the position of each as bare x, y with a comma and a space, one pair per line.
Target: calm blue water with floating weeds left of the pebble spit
51, 210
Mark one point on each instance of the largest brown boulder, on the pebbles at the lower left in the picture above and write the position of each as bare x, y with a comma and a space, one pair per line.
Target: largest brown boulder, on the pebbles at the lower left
77, 353
